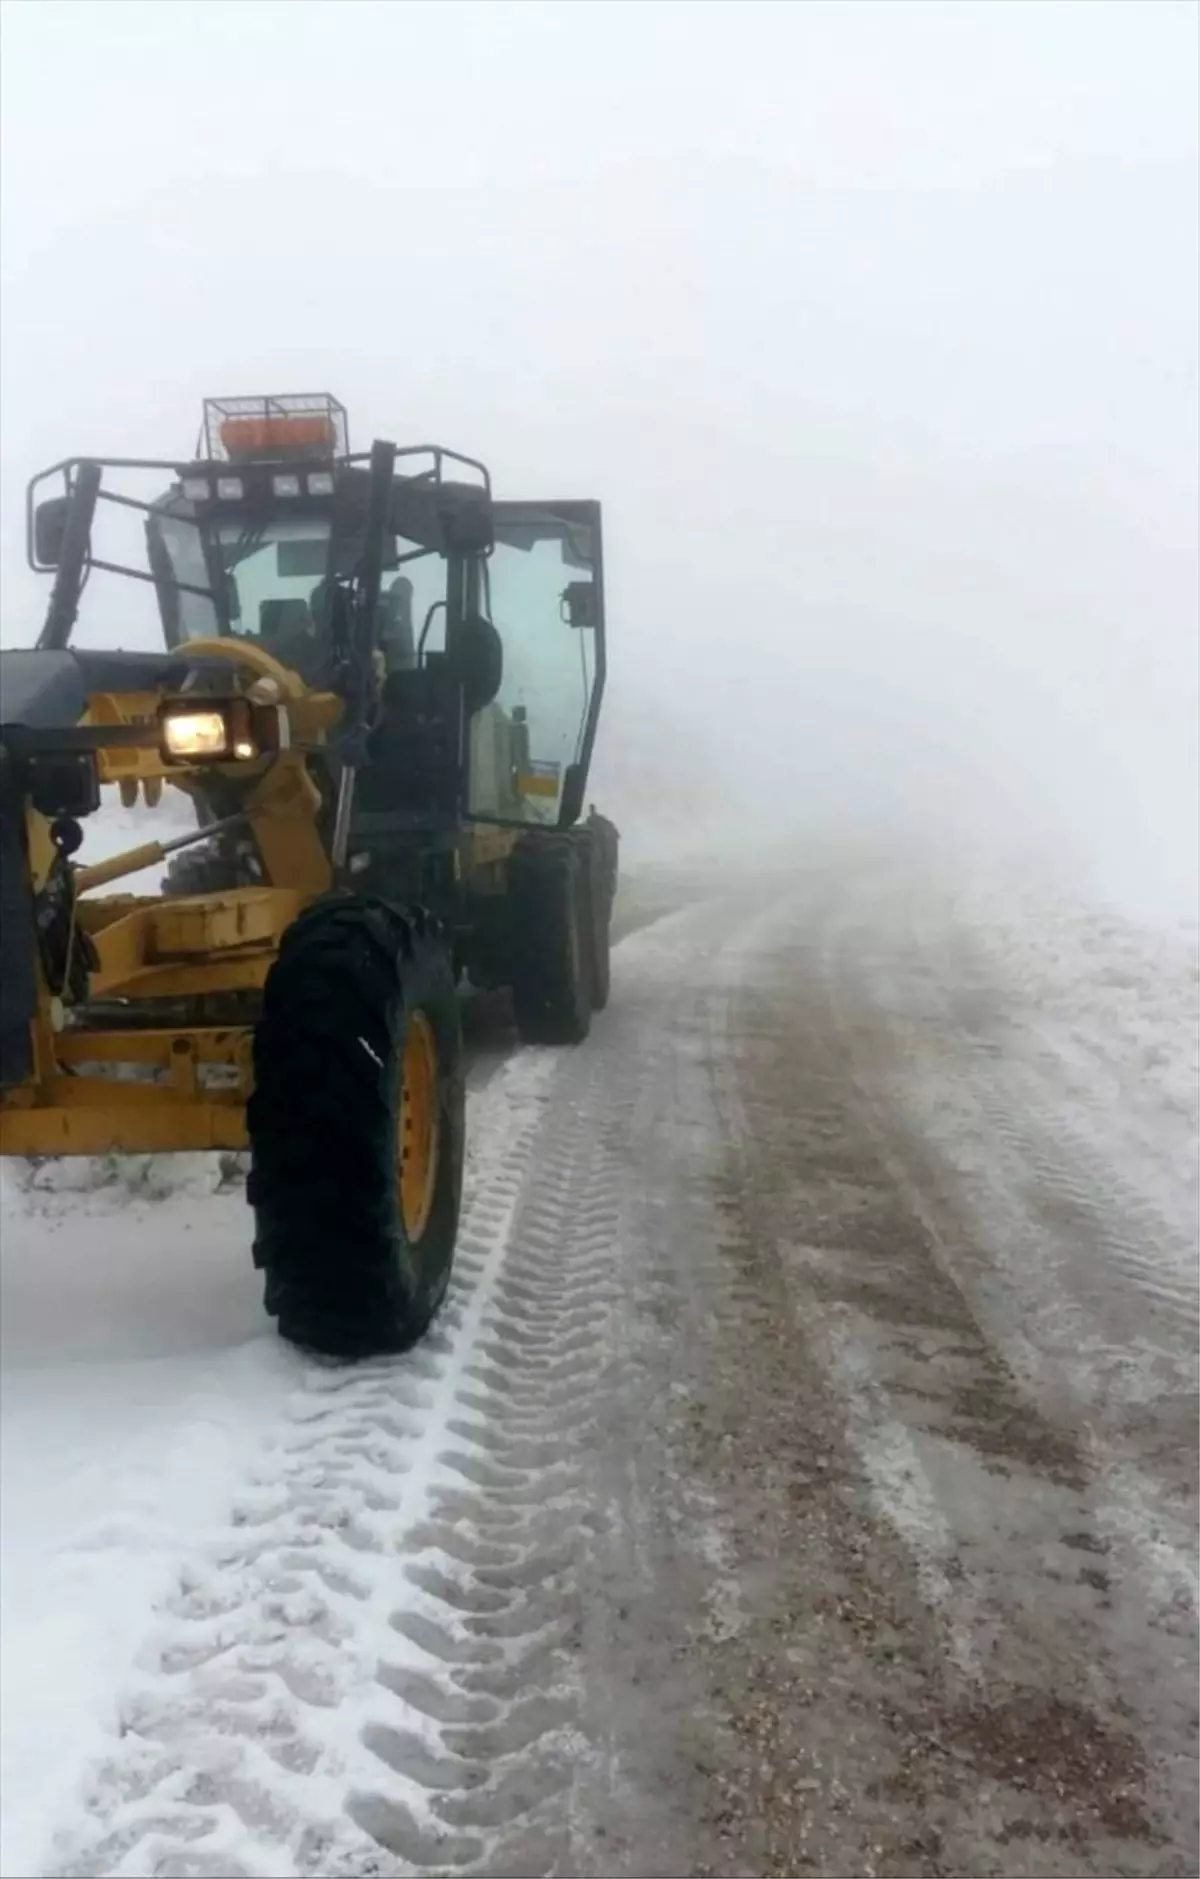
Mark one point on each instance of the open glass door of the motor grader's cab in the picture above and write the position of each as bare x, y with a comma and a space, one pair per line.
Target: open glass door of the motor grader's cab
544, 591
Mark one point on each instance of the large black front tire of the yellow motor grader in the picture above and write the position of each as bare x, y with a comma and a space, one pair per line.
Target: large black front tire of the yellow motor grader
343, 1273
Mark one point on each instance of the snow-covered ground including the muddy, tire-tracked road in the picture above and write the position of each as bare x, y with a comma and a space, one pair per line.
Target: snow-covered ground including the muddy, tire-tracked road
803, 1476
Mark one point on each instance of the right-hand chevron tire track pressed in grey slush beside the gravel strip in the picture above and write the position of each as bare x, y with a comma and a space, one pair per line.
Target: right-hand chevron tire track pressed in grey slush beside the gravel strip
500, 1547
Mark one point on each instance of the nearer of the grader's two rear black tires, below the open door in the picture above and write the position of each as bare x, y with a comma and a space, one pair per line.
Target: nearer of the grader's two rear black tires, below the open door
549, 907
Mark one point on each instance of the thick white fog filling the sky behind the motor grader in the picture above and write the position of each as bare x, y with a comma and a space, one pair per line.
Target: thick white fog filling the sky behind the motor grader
874, 328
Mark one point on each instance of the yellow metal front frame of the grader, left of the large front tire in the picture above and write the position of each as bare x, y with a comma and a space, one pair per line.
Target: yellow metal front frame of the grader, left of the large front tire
172, 948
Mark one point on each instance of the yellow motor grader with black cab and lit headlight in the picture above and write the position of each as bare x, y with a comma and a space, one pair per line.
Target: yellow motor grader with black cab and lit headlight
378, 692
